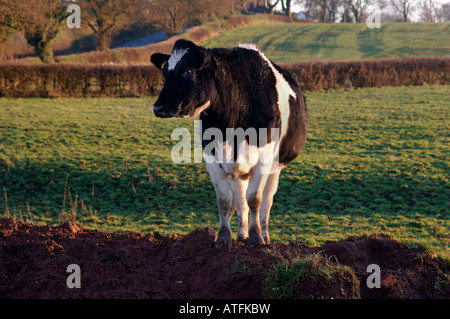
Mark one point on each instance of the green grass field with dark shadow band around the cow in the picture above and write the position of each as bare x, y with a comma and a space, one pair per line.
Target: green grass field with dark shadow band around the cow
376, 160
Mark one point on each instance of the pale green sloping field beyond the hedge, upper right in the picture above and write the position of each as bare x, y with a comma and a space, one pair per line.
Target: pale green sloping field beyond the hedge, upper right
332, 41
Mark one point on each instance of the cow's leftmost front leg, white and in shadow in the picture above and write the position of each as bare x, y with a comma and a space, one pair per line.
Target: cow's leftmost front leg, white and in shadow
224, 196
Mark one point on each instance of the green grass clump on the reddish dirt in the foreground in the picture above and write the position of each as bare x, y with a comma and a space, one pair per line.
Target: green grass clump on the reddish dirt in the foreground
304, 276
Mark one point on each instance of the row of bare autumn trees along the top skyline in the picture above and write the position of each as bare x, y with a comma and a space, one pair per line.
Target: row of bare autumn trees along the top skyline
41, 21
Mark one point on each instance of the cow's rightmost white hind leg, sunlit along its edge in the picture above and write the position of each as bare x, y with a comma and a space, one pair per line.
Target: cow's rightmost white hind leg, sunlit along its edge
266, 204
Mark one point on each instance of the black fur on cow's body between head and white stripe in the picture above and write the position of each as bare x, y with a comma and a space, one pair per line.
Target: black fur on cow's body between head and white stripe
244, 94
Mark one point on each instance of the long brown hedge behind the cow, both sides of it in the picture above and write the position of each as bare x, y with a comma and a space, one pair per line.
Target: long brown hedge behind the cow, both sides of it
73, 80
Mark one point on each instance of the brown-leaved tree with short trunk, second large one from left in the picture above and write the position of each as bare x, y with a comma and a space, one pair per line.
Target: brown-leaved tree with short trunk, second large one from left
106, 16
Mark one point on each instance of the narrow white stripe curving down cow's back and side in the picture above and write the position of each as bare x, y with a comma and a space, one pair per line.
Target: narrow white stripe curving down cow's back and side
283, 88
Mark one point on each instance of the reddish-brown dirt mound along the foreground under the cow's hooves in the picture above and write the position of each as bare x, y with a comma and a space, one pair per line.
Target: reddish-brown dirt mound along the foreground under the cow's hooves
34, 263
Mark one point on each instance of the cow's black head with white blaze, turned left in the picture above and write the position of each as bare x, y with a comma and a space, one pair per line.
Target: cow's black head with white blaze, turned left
186, 88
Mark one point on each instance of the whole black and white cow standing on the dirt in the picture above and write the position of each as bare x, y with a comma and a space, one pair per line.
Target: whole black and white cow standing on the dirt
236, 88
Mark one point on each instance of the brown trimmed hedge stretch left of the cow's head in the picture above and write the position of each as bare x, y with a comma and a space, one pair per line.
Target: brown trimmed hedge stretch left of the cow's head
72, 80
